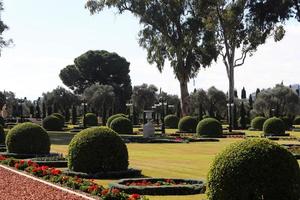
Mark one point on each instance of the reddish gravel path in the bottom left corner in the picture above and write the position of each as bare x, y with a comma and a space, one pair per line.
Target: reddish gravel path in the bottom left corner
14, 186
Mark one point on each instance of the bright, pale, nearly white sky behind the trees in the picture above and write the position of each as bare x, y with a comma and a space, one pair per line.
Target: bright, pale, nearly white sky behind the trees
48, 35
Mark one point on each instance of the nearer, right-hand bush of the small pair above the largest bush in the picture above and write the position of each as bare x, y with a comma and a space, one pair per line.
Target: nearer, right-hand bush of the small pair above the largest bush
274, 126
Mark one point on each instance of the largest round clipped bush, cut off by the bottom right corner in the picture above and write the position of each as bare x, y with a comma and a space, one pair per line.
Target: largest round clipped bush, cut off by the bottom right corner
254, 169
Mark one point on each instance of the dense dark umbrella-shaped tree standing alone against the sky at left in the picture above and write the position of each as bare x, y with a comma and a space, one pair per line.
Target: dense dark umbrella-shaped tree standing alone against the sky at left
99, 67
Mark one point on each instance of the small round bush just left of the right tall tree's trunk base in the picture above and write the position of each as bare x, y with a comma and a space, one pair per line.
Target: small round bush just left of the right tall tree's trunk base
209, 127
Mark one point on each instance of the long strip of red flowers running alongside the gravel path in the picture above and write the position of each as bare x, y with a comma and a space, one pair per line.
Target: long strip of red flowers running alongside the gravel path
56, 176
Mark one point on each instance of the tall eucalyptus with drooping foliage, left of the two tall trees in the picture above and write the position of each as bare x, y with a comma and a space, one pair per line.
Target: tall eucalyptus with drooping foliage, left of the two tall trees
171, 30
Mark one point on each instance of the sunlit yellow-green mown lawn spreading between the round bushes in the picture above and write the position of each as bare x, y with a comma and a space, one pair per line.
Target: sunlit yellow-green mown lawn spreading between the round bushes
166, 160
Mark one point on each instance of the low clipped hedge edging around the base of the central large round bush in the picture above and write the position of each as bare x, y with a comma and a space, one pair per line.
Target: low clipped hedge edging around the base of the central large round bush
130, 173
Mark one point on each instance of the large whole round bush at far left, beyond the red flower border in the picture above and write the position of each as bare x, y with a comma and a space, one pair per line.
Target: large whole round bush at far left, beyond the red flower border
28, 138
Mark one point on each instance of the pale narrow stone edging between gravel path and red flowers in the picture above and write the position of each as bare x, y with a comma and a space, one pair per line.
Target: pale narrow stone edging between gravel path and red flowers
48, 183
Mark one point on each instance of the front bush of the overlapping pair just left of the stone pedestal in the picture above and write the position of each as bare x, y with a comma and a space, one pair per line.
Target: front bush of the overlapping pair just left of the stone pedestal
122, 125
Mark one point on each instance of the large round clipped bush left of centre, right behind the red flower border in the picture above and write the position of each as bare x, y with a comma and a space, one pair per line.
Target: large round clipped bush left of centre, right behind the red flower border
97, 149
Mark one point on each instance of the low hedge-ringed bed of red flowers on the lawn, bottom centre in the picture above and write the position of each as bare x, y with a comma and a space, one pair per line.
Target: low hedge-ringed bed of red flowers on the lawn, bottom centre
159, 186
